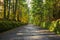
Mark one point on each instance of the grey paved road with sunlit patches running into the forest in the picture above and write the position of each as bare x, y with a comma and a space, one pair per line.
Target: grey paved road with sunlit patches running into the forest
28, 32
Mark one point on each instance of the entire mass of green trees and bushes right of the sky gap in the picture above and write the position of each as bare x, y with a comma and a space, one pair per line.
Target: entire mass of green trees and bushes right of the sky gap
46, 14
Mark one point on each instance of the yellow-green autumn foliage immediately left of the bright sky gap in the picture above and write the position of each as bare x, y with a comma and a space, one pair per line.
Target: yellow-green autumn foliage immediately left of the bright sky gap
24, 11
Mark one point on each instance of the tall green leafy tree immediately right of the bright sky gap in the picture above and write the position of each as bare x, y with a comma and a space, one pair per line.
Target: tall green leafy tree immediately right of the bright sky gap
36, 11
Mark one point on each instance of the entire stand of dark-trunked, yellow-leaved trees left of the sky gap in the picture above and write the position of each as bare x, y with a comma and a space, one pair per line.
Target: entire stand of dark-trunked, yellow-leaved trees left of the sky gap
15, 10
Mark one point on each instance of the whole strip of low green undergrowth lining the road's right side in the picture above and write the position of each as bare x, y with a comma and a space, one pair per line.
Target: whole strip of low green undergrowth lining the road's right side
53, 26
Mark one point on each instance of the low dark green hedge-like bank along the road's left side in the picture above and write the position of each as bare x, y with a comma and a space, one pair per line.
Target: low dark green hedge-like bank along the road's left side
6, 25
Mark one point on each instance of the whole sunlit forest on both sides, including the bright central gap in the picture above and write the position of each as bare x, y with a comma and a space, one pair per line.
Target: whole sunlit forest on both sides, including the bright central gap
43, 13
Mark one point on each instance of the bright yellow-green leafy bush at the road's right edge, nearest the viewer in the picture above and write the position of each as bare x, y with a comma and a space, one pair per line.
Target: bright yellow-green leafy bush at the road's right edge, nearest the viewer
55, 26
